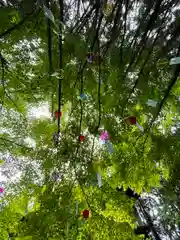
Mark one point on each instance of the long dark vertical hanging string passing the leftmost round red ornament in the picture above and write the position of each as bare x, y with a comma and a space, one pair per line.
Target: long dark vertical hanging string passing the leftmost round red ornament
60, 62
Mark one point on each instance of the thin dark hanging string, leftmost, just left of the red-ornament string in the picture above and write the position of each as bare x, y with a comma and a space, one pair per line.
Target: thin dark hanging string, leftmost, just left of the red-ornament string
49, 39
